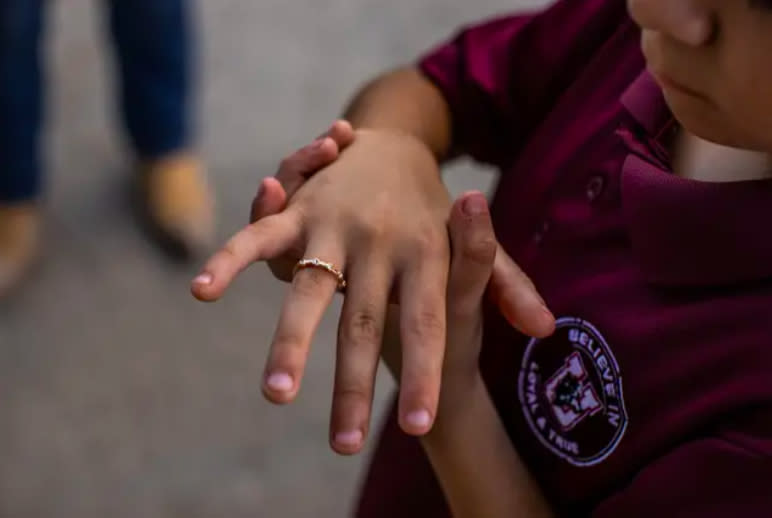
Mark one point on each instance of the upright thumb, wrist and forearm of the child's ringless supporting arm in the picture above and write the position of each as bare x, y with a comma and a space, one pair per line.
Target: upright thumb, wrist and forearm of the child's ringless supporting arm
476, 464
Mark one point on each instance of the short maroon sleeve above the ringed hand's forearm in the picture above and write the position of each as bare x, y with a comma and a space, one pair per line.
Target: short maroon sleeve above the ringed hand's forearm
501, 77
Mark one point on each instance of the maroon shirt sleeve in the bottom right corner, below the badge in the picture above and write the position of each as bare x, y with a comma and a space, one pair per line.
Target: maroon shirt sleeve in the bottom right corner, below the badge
708, 477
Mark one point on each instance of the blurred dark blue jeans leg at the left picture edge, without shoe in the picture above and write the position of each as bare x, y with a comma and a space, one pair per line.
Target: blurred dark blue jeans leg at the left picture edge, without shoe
21, 103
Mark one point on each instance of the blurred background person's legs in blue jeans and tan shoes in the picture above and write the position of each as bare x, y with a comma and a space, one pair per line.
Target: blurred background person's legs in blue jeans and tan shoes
152, 40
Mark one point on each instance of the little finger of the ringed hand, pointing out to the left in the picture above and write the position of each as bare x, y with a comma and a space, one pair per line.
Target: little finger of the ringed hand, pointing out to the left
265, 239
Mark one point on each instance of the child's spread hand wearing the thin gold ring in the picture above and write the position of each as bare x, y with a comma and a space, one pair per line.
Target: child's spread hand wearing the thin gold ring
379, 211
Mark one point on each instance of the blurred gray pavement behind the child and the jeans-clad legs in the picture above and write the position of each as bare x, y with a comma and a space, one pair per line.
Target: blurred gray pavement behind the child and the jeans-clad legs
119, 395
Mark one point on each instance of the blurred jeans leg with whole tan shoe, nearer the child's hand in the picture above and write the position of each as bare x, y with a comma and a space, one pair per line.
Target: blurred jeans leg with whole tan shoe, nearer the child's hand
153, 41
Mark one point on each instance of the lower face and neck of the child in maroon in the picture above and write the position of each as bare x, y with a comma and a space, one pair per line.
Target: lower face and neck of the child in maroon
718, 50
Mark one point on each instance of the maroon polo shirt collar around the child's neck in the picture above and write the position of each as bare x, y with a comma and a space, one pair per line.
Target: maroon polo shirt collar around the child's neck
687, 232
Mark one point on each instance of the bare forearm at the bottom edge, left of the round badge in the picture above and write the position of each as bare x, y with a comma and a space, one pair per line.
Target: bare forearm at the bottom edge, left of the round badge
479, 470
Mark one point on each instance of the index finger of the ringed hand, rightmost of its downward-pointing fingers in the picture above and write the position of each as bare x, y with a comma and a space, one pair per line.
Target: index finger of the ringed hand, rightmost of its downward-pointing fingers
423, 290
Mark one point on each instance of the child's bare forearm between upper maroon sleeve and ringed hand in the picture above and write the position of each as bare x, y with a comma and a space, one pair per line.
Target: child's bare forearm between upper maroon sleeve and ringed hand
404, 100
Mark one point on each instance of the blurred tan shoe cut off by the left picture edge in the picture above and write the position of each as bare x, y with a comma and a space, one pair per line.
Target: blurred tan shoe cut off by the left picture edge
19, 243
